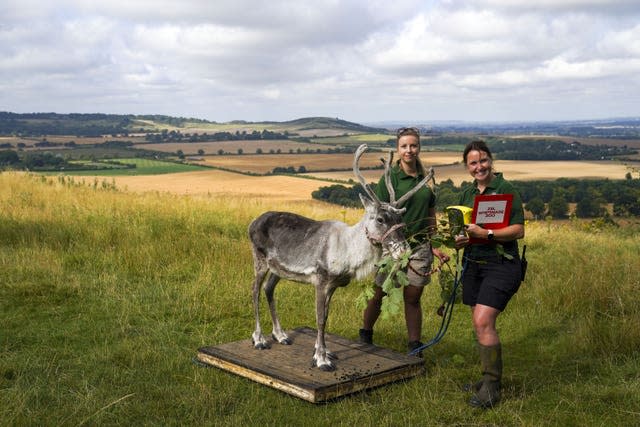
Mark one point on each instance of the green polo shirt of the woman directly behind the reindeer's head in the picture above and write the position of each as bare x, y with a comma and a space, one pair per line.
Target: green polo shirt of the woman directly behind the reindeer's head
417, 214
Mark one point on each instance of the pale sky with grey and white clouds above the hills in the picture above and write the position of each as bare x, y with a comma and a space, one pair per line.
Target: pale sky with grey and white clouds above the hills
367, 61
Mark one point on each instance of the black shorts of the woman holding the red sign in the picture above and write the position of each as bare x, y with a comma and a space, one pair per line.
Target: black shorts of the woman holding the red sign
491, 282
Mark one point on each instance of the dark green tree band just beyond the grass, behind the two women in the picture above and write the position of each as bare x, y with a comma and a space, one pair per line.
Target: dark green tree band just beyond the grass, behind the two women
540, 198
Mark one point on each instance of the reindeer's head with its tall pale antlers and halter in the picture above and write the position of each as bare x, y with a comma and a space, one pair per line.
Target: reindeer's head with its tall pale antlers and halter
383, 221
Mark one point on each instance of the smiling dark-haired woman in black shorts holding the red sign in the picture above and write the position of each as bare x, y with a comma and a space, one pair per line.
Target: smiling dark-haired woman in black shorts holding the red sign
490, 277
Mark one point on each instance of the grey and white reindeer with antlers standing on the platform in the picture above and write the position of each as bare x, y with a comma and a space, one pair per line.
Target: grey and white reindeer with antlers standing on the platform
326, 254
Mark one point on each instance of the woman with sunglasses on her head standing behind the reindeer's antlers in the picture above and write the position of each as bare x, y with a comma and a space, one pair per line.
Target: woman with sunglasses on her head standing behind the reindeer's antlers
420, 218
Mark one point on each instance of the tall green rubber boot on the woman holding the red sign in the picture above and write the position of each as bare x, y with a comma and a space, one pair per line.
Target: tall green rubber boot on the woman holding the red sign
489, 393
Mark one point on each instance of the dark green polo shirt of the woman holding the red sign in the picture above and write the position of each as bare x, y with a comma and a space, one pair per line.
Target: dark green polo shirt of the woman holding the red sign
498, 185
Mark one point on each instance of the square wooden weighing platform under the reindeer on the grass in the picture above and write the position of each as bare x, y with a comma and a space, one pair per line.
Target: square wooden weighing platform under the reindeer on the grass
288, 367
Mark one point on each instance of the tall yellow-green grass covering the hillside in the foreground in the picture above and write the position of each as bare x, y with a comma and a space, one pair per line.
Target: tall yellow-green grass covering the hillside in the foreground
105, 297
